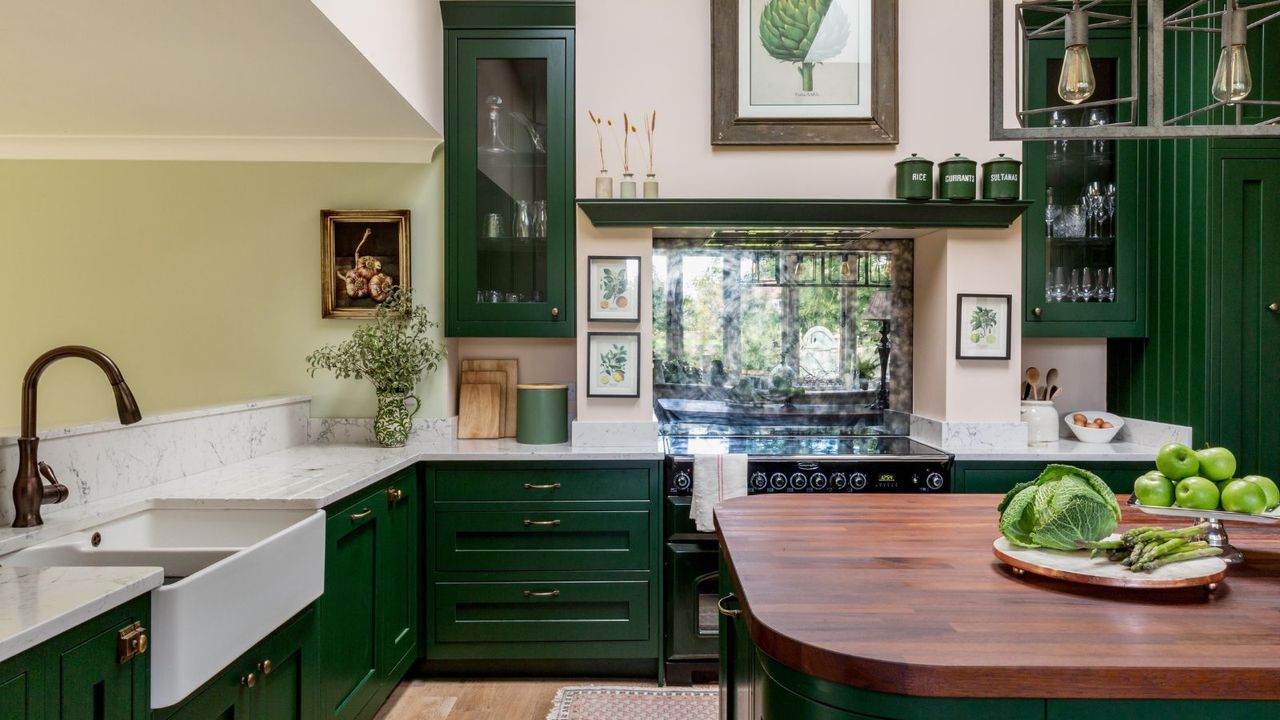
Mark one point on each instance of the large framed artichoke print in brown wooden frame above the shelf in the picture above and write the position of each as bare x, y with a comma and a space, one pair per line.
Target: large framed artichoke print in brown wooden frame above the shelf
804, 72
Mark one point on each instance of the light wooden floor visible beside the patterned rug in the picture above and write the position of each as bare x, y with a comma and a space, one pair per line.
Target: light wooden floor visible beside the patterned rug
481, 699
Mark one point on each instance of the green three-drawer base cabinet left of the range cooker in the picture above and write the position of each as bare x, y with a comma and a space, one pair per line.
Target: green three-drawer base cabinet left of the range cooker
543, 566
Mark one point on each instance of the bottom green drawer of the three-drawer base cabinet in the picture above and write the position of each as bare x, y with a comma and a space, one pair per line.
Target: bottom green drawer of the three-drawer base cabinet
541, 612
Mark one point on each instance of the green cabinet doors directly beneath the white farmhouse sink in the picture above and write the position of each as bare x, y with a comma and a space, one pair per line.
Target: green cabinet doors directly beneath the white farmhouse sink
277, 680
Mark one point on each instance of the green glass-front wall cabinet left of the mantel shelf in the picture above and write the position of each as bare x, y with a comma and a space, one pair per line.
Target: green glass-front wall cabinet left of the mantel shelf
509, 194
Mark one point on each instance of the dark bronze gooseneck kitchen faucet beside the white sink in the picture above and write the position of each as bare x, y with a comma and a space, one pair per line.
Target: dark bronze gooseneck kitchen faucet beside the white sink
29, 496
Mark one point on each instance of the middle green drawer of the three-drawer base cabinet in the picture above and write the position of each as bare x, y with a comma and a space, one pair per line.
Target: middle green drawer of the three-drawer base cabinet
515, 541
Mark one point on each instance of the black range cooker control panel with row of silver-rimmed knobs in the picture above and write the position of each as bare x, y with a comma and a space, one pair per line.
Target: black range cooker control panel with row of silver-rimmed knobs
780, 476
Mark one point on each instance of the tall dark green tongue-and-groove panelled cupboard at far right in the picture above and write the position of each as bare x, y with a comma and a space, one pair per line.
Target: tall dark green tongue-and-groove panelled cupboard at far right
1215, 204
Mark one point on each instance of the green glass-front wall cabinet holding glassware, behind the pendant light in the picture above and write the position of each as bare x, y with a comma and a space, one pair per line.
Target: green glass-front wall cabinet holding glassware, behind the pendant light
1084, 239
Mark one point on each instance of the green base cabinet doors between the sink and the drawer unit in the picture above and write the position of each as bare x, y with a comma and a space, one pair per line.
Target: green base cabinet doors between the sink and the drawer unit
369, 612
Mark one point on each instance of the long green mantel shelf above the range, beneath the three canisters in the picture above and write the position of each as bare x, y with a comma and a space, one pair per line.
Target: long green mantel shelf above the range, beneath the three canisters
802, 213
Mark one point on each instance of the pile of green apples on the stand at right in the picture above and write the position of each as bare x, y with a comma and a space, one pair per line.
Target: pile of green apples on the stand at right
1204, 480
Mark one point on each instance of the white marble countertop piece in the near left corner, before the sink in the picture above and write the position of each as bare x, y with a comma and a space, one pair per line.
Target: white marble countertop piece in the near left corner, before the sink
38, 604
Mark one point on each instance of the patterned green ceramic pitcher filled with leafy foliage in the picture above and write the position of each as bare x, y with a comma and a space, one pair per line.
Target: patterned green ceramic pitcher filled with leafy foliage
394, 353
